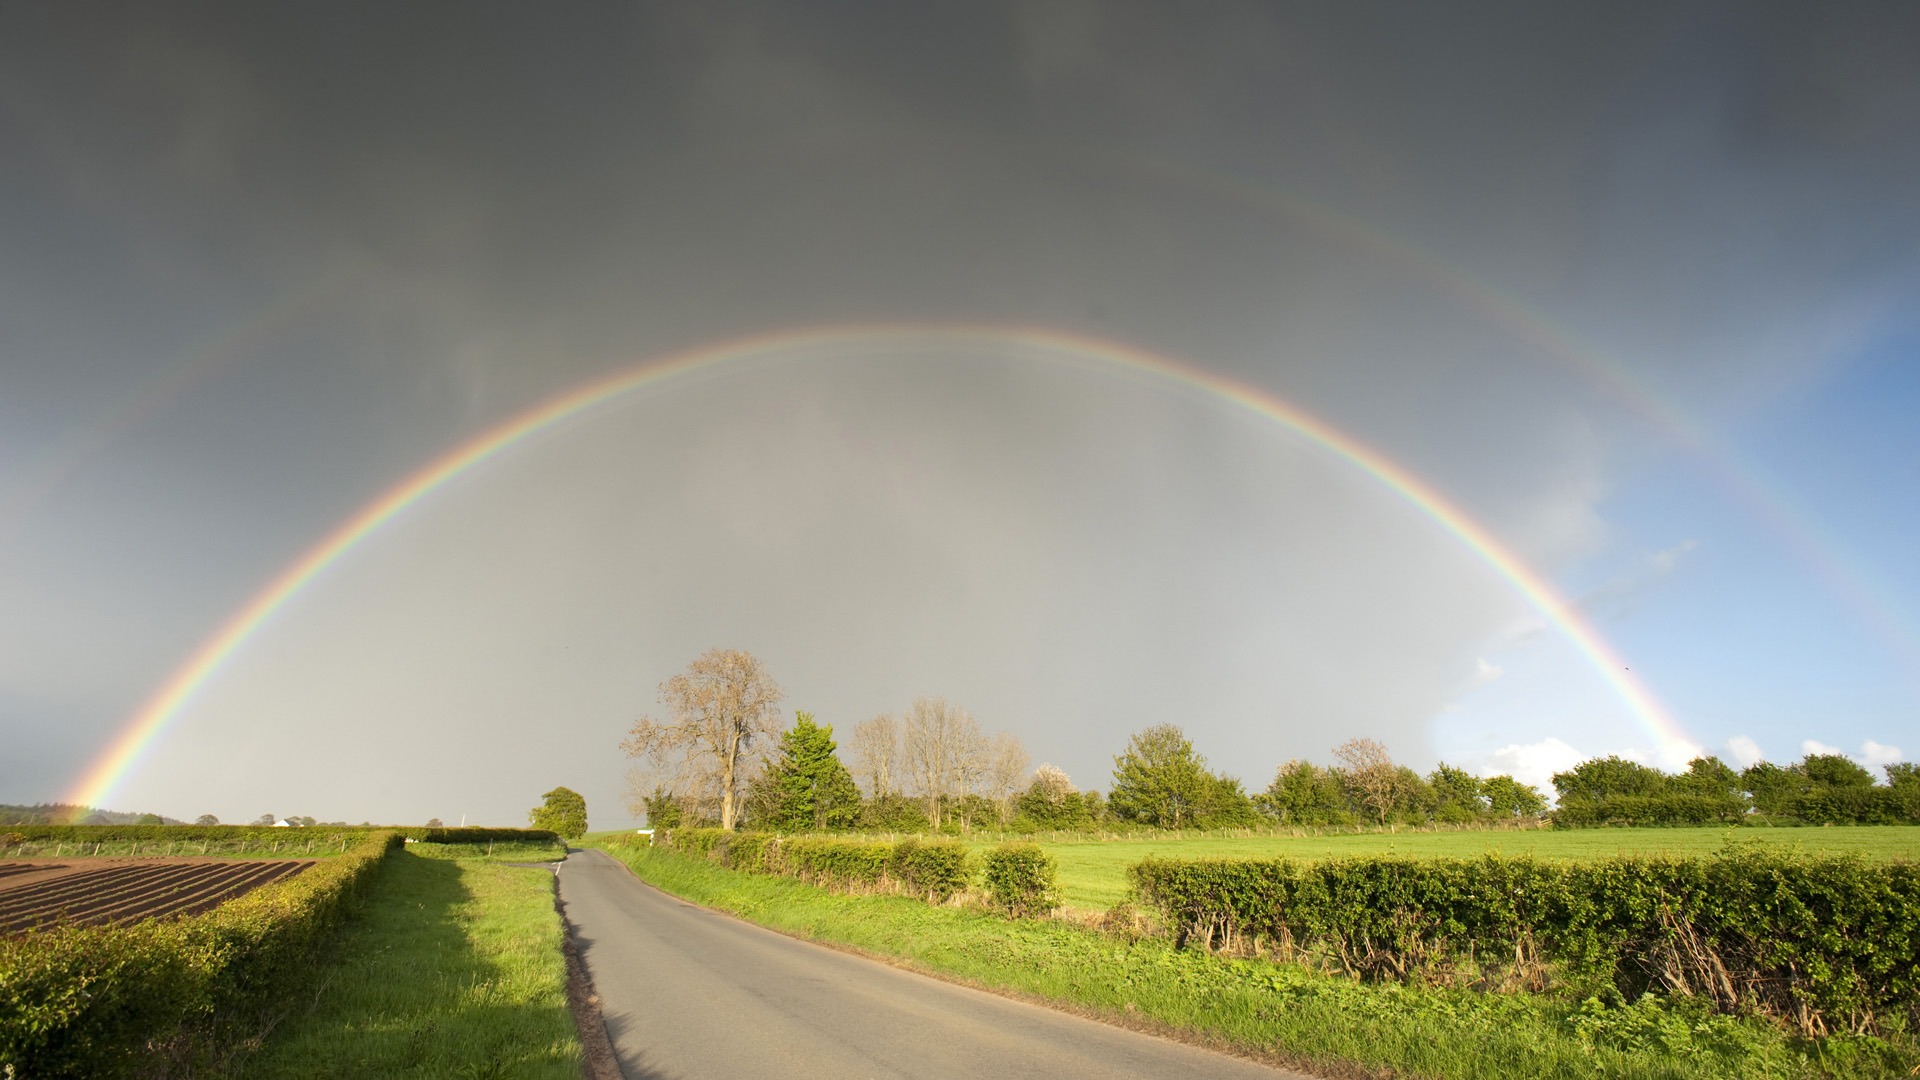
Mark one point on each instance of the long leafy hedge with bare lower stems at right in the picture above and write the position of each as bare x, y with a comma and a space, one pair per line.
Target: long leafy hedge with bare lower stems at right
1821, 943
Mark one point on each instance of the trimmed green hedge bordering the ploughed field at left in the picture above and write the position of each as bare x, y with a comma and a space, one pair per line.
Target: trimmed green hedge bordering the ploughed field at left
168, 994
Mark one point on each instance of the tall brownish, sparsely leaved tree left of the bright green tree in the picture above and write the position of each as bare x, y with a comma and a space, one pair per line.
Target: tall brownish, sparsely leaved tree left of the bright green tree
717, 712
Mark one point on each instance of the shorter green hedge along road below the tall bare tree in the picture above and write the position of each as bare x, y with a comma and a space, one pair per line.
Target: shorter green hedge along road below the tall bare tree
930, 870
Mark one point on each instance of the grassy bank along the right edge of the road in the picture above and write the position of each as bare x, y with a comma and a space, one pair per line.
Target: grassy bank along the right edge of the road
1280, 1012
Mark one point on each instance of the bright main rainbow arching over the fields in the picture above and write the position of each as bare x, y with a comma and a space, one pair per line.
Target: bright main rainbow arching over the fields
124, 756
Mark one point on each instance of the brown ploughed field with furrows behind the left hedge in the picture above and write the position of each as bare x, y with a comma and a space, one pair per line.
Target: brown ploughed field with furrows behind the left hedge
89, 893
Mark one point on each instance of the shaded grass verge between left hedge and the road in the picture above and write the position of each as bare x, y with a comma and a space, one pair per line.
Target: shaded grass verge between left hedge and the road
452, 970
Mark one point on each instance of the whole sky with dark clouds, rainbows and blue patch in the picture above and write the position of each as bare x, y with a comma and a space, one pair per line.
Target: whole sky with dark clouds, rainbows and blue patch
1506, 383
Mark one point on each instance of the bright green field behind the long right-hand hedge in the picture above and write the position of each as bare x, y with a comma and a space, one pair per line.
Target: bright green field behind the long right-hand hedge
1093, 873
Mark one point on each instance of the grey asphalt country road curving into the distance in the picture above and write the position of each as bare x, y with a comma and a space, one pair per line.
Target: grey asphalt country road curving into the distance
690, 994
